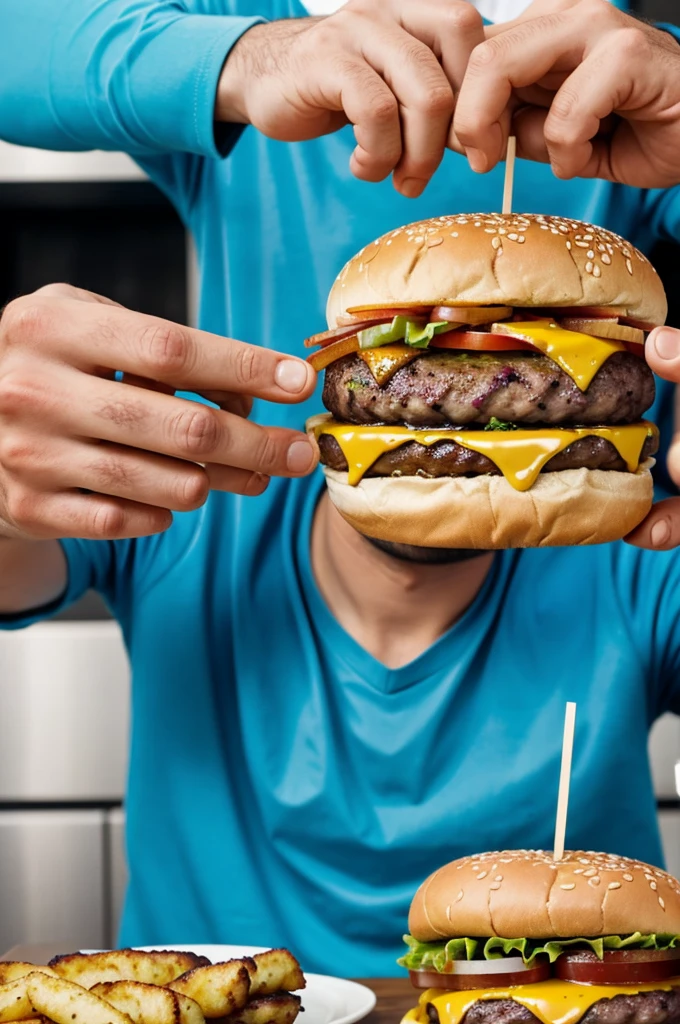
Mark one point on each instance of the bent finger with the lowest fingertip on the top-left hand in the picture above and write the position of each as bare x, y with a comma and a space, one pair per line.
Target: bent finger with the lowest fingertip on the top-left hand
427, 104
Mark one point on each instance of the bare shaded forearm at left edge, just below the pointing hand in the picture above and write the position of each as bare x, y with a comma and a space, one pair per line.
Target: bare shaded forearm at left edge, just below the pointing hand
33, 574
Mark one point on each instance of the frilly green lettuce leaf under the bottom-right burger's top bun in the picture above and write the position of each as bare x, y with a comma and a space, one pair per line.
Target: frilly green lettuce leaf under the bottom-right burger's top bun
436, 956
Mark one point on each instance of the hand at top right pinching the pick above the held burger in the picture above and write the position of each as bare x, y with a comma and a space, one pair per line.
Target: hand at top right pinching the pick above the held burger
585, 87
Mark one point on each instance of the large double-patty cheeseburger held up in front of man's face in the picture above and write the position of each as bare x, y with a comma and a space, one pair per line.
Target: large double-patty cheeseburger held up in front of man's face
486, 383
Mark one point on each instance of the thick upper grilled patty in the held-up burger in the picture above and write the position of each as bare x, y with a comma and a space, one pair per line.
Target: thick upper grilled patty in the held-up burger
441, 389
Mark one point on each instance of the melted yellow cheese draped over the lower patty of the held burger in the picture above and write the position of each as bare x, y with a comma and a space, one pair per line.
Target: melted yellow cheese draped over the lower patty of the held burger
520, 455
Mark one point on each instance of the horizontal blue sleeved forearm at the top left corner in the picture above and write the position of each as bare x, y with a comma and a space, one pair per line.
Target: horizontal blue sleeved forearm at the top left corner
114, 74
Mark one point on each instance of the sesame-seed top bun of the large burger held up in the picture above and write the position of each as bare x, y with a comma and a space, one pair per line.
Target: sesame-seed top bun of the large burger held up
501, 260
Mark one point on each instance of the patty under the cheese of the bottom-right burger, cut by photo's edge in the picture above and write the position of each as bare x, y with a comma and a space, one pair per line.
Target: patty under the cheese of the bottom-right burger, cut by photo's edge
646, 1008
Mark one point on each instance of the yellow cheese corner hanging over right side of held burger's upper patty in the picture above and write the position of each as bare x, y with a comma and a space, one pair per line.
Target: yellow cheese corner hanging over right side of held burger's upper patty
580, 356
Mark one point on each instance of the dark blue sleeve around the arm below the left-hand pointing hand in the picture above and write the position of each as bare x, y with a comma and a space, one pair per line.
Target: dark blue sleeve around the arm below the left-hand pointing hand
91, 566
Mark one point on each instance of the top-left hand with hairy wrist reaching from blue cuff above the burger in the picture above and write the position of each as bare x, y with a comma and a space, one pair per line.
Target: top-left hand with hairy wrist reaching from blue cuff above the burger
391, 68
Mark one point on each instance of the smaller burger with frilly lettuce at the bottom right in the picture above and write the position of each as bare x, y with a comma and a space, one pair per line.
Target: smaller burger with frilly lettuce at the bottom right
516, 937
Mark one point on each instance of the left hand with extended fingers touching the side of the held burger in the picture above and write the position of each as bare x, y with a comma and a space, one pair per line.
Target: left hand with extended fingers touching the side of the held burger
84, 455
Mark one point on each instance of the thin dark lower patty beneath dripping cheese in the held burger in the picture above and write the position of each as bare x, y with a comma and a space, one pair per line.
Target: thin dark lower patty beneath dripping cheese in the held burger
450, 459
